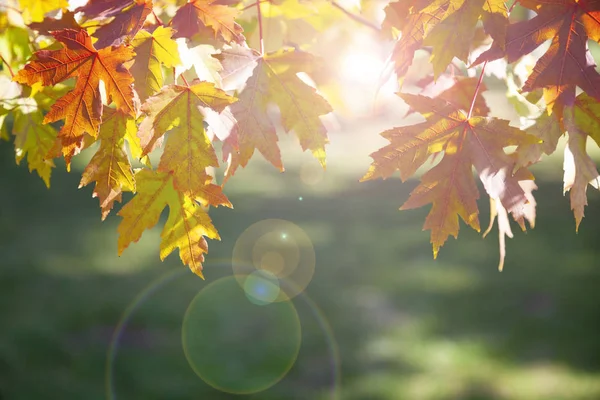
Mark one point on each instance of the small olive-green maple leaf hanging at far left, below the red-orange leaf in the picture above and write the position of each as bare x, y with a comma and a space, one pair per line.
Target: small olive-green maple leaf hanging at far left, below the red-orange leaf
34, 140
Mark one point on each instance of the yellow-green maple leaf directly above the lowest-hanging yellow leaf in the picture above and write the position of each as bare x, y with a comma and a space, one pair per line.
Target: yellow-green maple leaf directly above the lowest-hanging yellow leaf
188, 152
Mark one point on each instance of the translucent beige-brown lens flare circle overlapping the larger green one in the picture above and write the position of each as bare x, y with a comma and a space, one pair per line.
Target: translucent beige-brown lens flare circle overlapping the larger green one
277, 249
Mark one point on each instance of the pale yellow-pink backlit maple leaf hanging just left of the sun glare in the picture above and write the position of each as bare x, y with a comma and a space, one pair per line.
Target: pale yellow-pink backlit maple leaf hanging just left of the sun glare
273, 80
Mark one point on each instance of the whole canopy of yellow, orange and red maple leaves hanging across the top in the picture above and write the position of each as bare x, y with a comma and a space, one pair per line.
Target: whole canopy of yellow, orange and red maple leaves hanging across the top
135, 78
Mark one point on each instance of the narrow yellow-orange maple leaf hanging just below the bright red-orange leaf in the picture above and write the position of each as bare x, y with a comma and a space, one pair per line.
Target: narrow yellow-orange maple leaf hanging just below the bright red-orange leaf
110, 167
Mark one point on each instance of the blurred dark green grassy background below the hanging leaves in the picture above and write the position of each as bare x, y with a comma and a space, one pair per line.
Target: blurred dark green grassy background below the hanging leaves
404, 326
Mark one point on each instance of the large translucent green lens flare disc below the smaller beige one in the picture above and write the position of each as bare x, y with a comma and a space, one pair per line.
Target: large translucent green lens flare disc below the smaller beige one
236, 344
